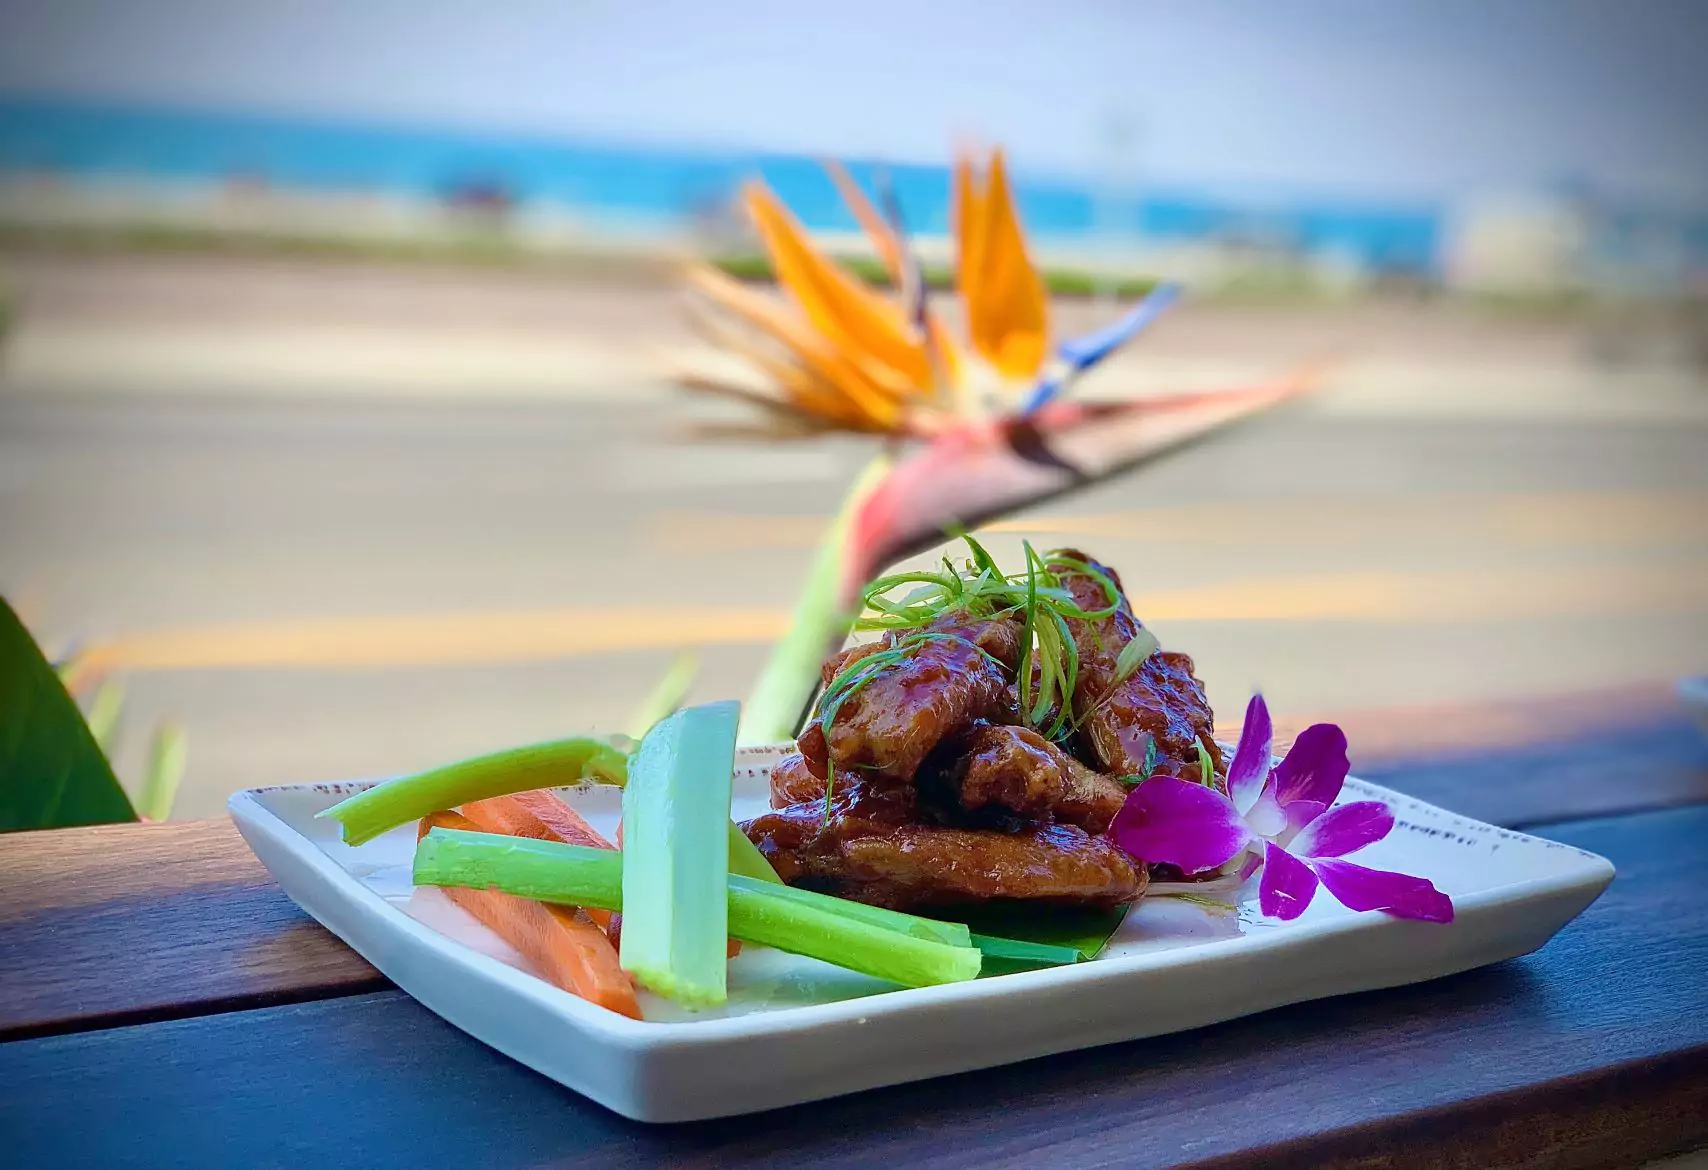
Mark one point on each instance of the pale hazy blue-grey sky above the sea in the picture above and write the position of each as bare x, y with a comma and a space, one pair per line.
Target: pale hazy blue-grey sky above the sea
1420, 100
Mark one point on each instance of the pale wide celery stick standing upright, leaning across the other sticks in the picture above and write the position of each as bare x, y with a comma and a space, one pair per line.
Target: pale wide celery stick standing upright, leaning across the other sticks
677, 855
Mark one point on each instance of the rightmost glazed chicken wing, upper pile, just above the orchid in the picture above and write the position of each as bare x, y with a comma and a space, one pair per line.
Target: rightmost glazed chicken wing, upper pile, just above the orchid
1161, 701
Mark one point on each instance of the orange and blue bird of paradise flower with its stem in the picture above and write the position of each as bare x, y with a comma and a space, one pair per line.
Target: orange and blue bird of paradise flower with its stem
976, 428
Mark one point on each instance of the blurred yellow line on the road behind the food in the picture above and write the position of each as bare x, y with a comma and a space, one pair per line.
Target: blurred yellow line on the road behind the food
448, 640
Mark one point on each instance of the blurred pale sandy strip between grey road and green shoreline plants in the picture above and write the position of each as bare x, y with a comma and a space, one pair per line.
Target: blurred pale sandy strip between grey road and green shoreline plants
185, 324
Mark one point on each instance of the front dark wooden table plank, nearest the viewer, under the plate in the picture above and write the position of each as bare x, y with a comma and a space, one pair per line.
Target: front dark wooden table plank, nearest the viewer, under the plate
1588, 1053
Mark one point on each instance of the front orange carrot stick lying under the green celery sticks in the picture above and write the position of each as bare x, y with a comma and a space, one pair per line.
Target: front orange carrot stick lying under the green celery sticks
561, 942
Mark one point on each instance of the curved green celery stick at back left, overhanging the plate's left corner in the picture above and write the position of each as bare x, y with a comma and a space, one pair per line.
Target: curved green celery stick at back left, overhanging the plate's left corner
409, 799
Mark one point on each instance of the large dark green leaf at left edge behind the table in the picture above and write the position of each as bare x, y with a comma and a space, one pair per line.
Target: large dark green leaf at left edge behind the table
52, 771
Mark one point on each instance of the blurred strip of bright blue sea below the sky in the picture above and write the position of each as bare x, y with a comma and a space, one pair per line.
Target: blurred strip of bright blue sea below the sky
635, 184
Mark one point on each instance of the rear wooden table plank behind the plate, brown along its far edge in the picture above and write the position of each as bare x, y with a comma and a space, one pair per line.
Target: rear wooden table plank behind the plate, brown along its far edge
137, 923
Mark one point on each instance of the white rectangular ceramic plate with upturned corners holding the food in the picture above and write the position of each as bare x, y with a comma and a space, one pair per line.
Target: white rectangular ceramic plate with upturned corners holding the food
798, 1031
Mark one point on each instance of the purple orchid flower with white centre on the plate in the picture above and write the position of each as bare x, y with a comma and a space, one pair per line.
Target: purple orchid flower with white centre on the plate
1284, 819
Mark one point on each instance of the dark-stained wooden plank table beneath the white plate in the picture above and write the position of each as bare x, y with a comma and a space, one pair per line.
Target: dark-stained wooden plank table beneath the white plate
163, 1003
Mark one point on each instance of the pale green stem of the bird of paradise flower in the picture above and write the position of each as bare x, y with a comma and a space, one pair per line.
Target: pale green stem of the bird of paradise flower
821, 619
